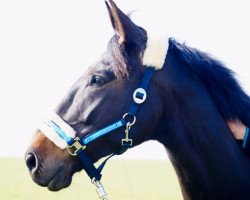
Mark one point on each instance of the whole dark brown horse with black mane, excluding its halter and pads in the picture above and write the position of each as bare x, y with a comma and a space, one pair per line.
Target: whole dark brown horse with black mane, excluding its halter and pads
189, 100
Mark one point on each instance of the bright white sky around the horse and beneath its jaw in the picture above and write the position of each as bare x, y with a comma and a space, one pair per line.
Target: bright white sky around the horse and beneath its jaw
45, 45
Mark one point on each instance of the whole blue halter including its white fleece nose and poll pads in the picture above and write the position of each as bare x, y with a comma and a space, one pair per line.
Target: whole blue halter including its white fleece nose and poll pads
64, 136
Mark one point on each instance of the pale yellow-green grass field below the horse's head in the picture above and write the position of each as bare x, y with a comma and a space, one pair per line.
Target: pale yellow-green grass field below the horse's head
123, 179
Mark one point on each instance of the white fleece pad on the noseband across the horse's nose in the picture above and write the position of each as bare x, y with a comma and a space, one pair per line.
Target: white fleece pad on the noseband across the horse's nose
51, 134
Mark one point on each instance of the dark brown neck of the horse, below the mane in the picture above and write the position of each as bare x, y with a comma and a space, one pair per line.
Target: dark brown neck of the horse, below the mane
200, 146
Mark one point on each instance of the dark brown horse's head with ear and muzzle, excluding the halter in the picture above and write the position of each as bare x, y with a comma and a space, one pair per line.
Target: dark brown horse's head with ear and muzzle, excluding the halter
100, 96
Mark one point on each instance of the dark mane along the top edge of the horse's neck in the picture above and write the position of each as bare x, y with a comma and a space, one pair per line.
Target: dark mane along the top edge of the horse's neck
223, 87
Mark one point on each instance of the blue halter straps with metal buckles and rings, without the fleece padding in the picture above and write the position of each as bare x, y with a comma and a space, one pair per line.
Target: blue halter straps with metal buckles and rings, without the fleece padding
76, 146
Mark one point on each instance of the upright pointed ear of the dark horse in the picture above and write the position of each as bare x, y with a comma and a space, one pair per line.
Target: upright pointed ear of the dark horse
126, 31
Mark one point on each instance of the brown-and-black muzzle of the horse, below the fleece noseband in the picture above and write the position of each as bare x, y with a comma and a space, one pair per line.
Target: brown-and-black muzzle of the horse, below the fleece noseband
53, 171
